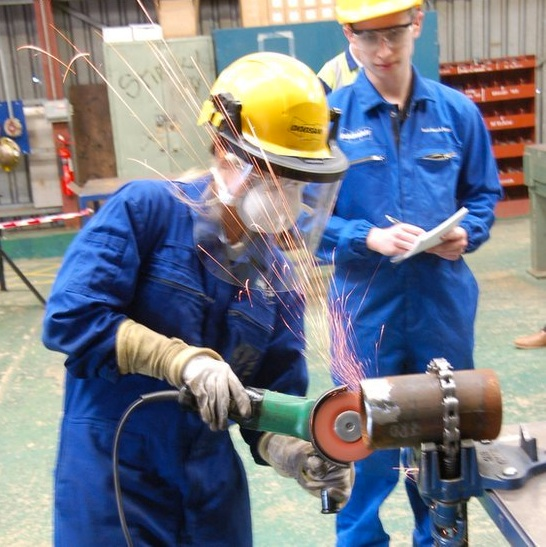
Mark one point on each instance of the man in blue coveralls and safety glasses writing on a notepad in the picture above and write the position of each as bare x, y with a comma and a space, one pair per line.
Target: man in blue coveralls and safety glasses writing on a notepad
419, 152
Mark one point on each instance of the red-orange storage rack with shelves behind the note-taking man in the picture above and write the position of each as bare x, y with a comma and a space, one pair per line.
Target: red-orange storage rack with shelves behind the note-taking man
504, 90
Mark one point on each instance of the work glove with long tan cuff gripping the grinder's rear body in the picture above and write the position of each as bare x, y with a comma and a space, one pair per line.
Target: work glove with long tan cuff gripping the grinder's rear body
140, 350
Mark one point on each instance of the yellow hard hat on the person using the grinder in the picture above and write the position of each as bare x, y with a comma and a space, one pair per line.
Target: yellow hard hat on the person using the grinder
273, 107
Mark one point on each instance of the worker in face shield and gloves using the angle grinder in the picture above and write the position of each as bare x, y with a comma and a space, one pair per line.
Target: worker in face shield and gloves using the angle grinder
194, 283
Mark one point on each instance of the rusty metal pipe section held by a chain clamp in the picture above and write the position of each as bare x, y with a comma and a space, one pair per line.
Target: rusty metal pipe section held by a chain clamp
402, 411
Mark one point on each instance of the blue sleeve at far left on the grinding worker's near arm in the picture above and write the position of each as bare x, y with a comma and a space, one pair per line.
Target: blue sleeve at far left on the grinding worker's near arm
97, 279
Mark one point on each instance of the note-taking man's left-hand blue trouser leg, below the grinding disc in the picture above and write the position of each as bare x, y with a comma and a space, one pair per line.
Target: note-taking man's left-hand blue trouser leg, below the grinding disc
358, 523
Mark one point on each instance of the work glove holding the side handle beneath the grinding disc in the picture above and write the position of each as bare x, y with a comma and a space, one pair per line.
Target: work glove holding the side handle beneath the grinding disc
296, 458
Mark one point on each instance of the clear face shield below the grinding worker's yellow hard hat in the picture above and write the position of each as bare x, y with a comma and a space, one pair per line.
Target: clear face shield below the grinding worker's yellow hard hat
259, 230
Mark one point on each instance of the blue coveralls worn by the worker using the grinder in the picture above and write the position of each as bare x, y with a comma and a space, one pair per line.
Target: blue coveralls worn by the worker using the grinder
182, 484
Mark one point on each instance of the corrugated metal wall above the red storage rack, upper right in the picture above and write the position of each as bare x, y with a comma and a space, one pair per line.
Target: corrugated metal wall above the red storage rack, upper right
483, 29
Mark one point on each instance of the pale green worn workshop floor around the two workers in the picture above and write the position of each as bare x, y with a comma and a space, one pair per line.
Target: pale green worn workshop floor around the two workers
31, 381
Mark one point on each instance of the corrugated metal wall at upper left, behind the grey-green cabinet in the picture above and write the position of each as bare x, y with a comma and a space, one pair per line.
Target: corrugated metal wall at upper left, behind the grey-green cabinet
81, 21
